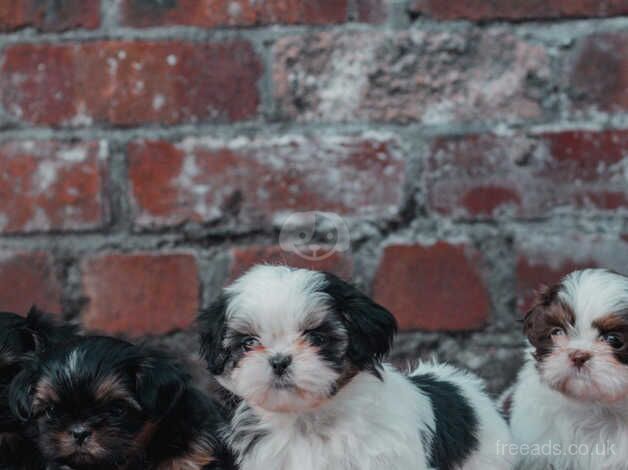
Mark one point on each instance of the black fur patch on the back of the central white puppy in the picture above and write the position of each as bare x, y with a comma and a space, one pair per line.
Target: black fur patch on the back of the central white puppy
455, 437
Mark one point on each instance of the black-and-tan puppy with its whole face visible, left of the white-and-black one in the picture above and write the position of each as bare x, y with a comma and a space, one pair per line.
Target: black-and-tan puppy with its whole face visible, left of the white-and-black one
103, 403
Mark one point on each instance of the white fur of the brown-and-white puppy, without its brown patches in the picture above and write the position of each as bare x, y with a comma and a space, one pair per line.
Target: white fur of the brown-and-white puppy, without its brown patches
595, 415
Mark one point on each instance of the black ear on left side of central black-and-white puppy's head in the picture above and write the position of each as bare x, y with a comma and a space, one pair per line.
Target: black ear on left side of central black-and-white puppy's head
213, 322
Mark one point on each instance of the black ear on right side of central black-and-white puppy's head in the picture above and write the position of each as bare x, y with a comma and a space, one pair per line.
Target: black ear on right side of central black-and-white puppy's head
370, 326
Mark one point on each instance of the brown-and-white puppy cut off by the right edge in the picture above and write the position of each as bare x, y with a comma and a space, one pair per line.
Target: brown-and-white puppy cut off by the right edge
570, 404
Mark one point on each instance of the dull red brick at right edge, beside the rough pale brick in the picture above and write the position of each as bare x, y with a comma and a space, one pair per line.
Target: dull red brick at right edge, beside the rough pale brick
597, 75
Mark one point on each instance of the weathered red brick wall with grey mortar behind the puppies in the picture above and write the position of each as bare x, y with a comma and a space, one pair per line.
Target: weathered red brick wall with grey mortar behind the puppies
151, 150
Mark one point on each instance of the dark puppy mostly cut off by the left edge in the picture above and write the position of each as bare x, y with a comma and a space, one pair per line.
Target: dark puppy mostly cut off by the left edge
20, 339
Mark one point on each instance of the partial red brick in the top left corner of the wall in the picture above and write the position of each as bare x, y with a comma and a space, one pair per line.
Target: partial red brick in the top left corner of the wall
49, 16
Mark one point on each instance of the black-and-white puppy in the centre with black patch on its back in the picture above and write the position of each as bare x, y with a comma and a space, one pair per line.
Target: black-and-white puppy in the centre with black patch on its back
303, 349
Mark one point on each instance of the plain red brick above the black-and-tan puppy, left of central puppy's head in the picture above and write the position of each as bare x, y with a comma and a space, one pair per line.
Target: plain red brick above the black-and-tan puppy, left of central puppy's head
140, 293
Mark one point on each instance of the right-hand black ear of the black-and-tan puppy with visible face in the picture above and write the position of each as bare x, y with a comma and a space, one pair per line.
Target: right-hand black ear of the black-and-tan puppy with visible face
160, 382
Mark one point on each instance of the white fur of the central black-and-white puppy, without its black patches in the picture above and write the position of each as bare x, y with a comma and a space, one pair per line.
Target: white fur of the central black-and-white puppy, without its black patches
370, 424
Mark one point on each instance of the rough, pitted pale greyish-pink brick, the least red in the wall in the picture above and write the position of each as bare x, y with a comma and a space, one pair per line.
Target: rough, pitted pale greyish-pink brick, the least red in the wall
427, 76
